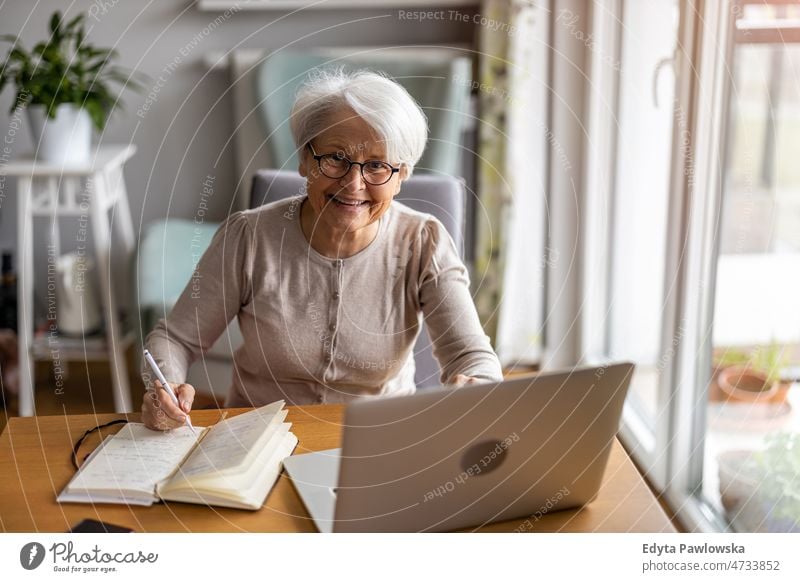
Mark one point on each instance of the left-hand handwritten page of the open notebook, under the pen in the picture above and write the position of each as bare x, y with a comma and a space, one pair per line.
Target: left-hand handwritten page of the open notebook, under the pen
136, 459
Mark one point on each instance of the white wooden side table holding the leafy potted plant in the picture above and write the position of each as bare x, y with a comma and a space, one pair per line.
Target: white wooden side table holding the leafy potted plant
53, 191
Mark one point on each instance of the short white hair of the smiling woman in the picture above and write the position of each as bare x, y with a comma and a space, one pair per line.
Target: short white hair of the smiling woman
383, 103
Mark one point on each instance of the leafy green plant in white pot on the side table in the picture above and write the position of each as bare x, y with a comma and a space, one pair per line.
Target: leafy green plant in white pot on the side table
64, 83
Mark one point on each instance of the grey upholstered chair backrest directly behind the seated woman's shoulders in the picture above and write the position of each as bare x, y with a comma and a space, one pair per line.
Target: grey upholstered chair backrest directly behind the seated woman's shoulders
441, 196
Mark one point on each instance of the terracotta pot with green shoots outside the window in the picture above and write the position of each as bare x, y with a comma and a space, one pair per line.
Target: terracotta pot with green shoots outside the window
753, 377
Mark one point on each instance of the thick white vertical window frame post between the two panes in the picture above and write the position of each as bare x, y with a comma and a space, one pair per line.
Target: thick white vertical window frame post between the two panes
706, 96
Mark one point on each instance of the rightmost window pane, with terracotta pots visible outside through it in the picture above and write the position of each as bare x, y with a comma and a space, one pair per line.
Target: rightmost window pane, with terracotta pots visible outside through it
751, 471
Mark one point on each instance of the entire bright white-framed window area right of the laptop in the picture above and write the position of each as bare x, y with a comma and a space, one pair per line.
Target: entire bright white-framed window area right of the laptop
693, 250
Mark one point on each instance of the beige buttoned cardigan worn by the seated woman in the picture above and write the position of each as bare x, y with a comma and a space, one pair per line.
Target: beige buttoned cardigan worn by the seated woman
318, 329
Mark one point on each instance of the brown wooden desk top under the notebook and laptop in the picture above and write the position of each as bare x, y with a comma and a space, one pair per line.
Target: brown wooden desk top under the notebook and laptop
35, 465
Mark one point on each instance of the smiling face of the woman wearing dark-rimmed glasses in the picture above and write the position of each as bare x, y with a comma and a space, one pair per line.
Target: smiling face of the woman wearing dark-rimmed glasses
348, 205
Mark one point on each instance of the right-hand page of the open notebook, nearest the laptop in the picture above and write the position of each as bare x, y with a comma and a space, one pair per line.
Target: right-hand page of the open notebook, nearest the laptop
229, 442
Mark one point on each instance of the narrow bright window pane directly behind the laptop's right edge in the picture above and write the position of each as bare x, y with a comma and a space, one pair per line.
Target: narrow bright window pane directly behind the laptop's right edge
630, 160
